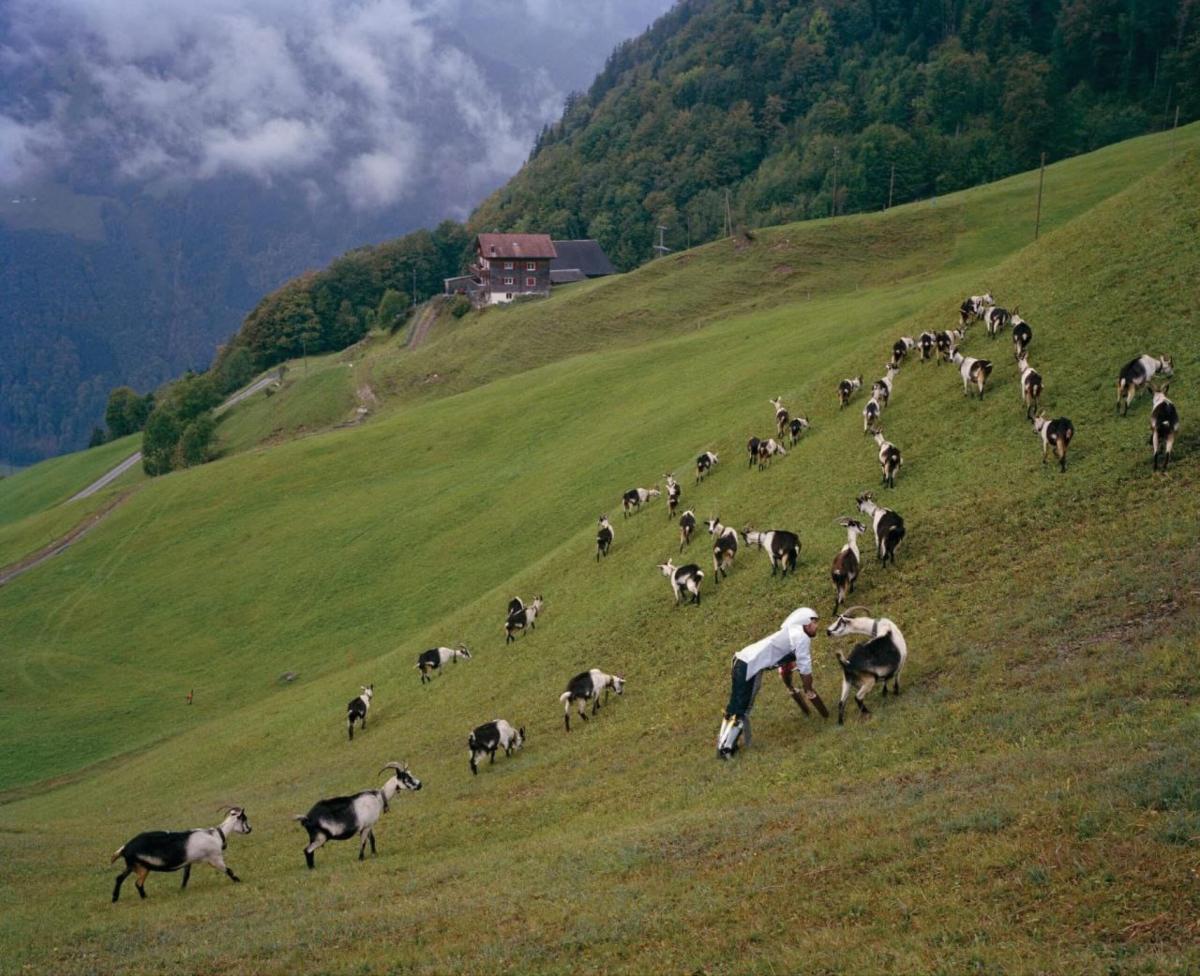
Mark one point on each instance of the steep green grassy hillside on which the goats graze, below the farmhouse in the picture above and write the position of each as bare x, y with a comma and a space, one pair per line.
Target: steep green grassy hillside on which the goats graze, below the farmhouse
1030, 804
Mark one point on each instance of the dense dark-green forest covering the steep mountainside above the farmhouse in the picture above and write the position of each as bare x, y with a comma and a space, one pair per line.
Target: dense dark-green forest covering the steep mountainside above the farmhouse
799, 110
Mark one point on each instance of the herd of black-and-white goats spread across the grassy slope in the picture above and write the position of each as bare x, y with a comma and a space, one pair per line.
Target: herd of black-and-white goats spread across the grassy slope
879, 660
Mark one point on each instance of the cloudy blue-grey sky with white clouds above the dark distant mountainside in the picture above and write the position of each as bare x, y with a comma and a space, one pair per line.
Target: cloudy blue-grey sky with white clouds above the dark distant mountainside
352, 100
